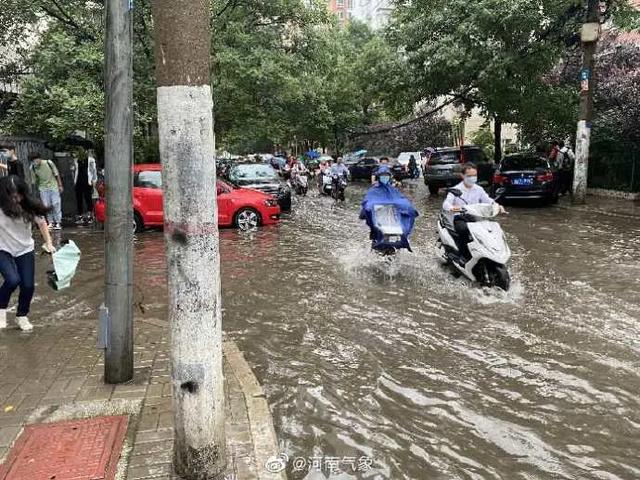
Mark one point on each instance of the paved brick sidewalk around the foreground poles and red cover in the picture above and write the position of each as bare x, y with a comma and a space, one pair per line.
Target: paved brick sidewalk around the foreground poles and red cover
55, 374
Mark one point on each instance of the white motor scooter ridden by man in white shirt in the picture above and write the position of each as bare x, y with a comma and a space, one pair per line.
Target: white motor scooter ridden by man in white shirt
489, 250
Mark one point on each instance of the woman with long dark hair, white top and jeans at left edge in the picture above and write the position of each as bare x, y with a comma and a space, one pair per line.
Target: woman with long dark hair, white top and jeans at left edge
18, 212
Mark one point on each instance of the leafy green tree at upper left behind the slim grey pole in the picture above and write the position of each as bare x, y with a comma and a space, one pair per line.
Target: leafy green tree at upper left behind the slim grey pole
58, 54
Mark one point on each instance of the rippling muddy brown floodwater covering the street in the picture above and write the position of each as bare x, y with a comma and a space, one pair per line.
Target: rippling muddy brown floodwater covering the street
425, 374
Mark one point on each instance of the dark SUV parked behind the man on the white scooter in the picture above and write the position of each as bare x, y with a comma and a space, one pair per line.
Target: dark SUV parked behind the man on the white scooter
443, 166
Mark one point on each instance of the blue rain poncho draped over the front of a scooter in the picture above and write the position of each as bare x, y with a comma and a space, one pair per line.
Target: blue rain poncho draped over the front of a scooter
405, 215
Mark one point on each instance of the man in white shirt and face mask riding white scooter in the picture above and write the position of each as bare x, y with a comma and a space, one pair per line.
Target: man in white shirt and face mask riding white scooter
472, 193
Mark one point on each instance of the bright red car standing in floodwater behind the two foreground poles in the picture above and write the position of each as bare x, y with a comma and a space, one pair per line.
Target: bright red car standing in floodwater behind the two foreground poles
240, 207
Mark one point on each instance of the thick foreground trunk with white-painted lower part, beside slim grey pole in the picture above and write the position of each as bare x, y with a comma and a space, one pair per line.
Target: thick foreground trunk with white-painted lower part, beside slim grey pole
185, 120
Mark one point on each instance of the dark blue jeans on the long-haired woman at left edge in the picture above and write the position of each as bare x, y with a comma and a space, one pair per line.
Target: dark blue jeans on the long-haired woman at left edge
17, 272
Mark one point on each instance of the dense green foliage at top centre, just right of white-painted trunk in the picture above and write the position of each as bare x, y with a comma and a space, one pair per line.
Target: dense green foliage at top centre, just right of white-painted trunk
302, 77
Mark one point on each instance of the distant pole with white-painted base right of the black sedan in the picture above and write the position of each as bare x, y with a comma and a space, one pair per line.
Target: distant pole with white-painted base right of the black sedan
590, 34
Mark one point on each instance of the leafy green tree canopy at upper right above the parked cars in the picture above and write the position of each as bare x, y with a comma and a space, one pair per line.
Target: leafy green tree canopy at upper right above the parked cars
486, 53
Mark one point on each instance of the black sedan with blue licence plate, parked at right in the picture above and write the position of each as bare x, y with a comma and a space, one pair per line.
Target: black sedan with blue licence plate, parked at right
526, 176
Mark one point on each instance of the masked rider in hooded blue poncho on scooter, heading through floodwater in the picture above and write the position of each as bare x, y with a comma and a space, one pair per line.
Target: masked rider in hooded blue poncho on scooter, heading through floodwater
388, 213
